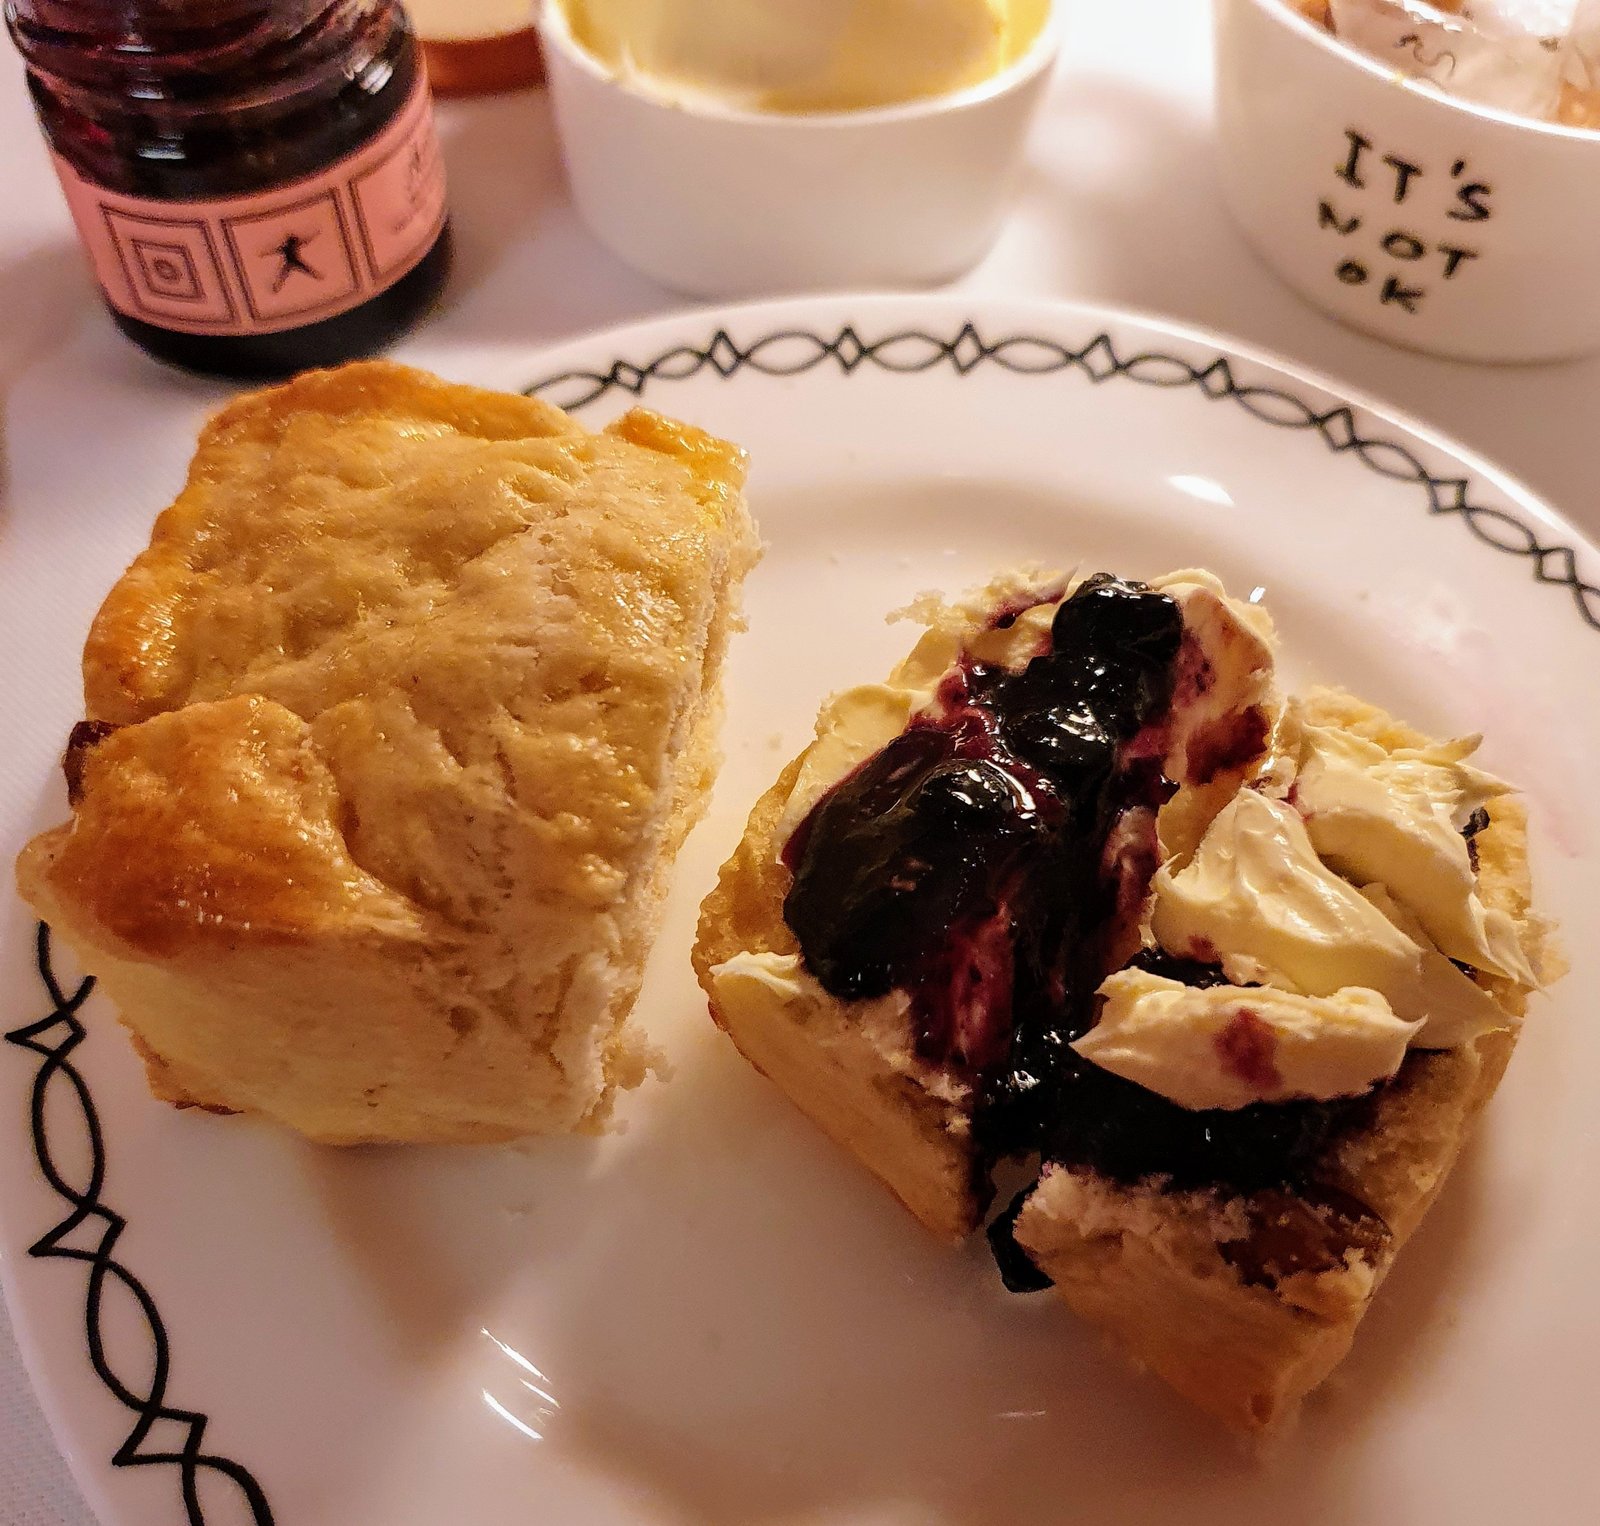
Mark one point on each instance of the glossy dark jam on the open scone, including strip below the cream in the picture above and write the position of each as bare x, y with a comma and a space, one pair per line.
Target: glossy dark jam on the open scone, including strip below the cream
991, 861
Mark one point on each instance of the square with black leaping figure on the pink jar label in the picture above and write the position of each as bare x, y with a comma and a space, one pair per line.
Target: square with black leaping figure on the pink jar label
294, 260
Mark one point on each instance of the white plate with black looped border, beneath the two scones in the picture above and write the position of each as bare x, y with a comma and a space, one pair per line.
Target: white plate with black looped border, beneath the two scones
714, 1317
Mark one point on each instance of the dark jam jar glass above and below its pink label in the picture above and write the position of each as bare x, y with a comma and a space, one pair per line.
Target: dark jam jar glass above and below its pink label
220, 100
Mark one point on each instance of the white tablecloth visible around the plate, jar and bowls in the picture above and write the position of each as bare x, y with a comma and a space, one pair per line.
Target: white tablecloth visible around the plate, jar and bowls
1119, 206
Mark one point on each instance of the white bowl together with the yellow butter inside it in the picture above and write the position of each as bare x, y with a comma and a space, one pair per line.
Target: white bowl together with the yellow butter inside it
690, 159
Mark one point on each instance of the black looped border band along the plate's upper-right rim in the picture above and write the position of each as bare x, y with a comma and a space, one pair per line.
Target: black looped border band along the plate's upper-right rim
794, 351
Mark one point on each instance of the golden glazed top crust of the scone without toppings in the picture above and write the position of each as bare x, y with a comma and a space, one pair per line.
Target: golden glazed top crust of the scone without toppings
375, 554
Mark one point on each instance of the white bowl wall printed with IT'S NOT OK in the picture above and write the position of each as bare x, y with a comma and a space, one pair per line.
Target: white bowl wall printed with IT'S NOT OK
1428, 222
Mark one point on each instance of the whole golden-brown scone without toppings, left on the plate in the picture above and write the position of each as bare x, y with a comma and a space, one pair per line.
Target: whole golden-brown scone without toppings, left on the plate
393, 735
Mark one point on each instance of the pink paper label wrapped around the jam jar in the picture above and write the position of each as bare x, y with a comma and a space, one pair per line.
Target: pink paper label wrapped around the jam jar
279, 258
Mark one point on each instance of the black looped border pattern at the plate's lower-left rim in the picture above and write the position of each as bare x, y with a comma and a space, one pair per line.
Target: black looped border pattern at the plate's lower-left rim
54, 1039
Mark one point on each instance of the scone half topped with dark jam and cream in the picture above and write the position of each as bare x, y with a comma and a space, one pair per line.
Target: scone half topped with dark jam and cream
1078, 887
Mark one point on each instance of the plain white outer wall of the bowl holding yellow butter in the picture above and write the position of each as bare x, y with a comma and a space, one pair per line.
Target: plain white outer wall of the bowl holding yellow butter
732, 204
